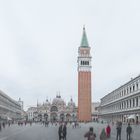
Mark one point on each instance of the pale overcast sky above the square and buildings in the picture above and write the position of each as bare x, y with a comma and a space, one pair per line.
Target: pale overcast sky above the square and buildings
39, 42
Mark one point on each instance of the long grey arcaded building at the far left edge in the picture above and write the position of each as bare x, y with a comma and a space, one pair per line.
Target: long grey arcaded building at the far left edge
9, 108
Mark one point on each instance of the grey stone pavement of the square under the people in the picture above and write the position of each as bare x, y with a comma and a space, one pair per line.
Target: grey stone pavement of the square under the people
40, 132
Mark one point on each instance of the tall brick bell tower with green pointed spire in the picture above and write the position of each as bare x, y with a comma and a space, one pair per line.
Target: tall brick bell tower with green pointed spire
84, 80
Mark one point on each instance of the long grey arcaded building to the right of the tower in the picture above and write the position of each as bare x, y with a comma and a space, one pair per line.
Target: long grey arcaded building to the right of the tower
122, 104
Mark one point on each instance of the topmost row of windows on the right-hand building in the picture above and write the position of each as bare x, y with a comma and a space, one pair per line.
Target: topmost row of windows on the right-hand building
121, 93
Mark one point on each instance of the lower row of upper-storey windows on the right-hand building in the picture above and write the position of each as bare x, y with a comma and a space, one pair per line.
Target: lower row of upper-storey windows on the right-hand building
126, 104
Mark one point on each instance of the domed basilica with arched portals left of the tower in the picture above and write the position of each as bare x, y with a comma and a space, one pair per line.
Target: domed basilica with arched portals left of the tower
57, 110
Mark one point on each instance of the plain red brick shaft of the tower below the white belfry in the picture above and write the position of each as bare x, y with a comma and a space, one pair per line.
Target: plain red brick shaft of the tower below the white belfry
84, 96
